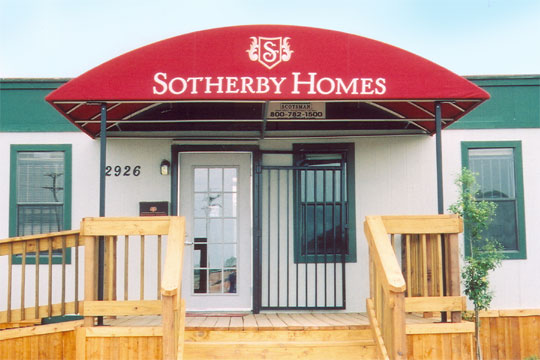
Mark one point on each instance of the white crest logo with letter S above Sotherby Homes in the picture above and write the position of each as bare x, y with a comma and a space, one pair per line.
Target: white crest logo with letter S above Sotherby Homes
269, 51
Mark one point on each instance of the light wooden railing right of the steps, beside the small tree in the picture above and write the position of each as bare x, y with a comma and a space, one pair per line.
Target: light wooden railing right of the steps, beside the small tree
426, 281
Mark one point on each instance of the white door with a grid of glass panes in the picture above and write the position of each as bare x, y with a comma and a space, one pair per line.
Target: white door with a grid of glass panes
215, 198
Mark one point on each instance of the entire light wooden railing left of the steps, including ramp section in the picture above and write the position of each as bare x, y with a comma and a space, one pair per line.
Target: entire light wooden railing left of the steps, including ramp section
140, 241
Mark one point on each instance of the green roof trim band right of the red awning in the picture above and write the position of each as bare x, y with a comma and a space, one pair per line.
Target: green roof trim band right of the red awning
514, 103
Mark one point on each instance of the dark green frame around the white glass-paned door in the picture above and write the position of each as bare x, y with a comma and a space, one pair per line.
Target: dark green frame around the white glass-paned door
255, 156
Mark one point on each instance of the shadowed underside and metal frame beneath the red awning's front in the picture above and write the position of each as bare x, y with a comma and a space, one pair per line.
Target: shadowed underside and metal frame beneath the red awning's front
188, 119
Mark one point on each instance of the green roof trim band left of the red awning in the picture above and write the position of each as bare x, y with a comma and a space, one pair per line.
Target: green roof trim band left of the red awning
23, 107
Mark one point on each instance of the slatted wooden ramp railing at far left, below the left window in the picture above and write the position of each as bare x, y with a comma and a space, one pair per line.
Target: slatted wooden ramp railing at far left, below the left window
55, 265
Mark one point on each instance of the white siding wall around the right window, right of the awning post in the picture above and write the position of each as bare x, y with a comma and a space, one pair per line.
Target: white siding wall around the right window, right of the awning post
516, 284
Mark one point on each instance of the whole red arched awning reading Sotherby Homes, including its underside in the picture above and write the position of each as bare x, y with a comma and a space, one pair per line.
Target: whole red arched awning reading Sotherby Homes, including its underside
232, 82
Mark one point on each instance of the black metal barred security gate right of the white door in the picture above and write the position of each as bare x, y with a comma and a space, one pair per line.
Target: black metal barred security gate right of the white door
301, 237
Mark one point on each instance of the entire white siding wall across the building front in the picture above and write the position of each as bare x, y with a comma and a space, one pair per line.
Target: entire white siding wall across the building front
394, 175
